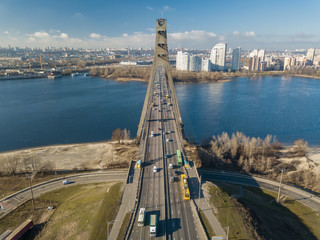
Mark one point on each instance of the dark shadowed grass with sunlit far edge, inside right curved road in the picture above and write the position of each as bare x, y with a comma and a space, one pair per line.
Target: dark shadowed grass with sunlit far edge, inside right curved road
270, 219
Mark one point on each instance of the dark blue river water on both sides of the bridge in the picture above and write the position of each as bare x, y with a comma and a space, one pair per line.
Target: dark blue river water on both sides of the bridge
39, 112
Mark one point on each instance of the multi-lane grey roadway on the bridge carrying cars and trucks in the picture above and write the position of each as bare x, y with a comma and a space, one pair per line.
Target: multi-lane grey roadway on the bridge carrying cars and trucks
159, 195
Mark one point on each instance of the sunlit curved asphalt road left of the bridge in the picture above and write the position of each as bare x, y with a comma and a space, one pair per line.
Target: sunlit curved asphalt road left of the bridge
10, 202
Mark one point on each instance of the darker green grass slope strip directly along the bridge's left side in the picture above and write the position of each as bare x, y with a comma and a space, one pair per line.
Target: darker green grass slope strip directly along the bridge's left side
107, 212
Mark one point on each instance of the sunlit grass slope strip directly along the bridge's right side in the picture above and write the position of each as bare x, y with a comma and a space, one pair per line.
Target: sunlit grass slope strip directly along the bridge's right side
231, 214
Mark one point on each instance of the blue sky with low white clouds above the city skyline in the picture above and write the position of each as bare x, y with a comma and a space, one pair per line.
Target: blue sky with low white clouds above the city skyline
272, 24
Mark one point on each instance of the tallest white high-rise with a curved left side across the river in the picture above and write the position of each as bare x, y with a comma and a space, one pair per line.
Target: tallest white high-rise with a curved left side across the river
218, 56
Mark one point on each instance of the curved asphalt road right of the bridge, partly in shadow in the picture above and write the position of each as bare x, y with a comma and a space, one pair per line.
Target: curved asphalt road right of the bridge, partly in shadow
297, 194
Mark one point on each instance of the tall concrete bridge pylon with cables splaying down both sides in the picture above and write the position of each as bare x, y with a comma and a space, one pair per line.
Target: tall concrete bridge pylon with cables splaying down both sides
160, 59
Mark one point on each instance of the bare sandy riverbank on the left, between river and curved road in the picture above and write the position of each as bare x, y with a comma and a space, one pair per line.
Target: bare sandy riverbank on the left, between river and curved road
71, 157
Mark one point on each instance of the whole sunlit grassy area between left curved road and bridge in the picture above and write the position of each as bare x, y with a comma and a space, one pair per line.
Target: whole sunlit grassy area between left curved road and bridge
79, 210
